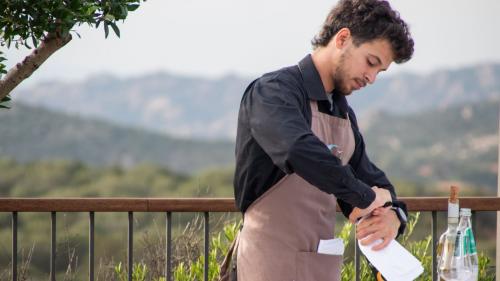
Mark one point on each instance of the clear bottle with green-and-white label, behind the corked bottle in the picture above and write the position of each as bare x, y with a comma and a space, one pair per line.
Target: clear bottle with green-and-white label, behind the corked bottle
469, 243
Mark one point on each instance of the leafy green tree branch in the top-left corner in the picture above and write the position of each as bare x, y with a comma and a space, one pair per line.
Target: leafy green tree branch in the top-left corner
45, 26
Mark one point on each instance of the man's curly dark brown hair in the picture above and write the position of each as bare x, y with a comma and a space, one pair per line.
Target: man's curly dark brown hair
368, 20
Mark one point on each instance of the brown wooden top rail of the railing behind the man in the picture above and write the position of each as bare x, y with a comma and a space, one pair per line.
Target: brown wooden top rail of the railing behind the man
201, 204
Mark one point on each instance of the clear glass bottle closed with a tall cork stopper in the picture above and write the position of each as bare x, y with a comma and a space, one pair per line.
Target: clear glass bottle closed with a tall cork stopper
451, 262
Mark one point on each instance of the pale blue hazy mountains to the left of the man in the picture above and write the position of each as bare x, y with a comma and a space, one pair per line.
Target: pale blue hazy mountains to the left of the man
174, 105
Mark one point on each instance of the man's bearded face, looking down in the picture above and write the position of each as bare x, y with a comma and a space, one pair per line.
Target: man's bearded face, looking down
360, 65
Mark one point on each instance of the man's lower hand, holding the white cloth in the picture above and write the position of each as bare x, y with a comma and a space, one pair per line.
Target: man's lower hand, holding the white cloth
382, 224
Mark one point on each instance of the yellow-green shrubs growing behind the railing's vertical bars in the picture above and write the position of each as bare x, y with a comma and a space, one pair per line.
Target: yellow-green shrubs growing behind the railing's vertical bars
188, 264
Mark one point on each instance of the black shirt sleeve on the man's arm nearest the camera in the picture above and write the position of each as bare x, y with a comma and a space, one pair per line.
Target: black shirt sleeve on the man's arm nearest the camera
274, 108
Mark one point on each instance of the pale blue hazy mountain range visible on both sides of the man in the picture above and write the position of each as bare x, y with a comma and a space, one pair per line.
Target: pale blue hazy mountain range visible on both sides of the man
207, 108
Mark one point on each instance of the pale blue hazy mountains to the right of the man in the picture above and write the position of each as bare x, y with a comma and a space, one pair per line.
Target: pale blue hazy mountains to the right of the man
409, 93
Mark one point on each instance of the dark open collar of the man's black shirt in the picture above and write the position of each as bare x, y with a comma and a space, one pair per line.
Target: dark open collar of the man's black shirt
314, 86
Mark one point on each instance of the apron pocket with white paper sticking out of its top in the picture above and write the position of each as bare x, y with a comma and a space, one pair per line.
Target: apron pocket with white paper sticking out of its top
312, 266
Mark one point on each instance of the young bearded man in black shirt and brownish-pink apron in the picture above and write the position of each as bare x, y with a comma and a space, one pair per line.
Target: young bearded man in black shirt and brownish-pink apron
299, 150
